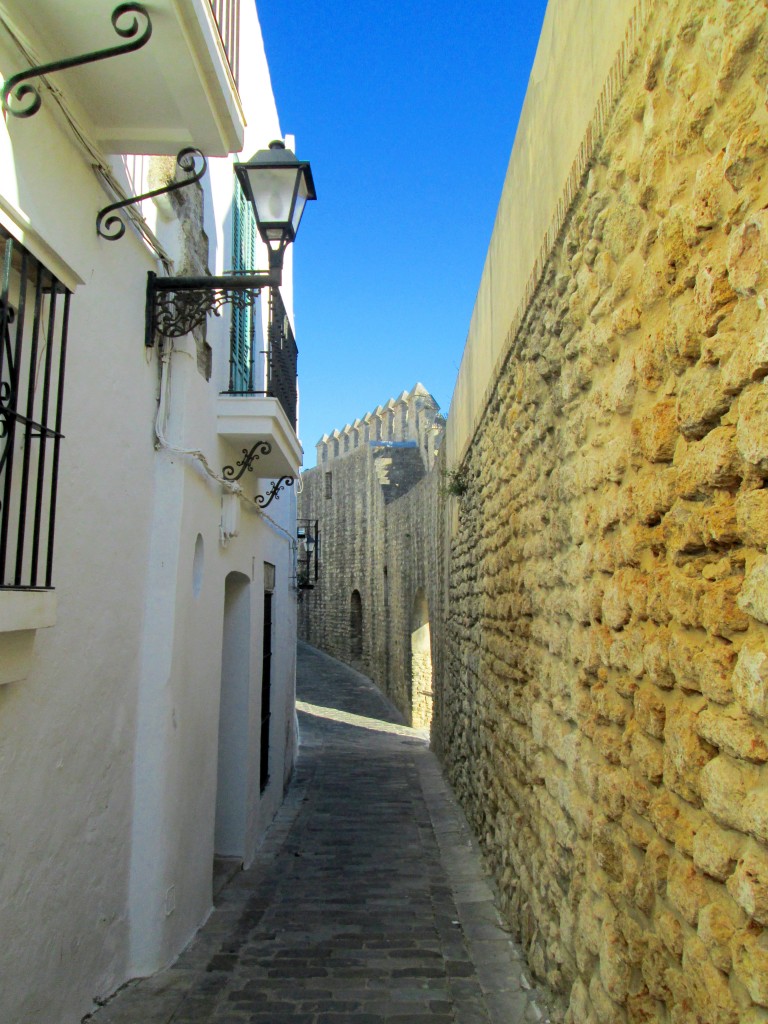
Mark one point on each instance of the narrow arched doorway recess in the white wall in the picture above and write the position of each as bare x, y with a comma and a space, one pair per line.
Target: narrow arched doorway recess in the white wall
232, 800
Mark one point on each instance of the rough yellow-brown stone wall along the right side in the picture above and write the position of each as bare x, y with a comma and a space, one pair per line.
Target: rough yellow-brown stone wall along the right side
605, 694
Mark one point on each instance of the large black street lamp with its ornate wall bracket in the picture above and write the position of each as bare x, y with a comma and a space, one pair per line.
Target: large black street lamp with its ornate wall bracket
278, 187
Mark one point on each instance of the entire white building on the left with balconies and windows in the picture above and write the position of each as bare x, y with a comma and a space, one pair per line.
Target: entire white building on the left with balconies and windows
148, 596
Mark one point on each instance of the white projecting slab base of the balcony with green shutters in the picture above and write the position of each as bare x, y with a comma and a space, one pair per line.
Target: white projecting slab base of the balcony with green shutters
244, 420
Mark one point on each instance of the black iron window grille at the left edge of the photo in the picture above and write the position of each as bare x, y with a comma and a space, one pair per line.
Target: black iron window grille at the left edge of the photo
34, 315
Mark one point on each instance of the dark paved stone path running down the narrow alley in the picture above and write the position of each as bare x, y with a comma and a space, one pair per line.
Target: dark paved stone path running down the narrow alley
367, 903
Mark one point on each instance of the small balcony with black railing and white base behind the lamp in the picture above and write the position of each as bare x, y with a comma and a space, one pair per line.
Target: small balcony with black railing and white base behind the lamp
261, 403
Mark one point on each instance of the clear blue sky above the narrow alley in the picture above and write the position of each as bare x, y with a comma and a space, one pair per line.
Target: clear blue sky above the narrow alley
407, 111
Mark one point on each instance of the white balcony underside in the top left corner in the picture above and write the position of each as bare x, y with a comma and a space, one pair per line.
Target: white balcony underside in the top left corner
180, 90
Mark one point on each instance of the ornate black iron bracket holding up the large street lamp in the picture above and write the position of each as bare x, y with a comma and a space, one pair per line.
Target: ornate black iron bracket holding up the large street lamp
177, 306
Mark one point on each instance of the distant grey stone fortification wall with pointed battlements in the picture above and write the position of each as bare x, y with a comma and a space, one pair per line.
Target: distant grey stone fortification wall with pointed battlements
378, 516
